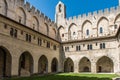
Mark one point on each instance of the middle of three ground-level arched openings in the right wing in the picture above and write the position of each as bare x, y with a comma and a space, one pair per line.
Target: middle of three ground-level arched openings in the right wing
84, 65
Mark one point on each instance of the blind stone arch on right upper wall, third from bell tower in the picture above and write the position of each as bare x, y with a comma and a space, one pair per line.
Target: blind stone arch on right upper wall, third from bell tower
86, 26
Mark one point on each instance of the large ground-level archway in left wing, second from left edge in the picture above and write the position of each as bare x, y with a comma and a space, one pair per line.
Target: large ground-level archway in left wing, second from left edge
25, 64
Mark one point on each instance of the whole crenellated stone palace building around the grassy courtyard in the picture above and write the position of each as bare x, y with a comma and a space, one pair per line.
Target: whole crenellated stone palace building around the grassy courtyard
31, 43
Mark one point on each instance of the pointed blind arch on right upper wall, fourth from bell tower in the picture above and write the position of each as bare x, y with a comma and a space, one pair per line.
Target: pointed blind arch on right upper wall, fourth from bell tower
103, 23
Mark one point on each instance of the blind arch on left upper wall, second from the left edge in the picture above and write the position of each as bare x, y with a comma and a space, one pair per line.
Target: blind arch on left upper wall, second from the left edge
21, 15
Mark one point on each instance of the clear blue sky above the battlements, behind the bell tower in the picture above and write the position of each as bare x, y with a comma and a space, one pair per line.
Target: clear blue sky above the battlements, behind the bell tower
73, 7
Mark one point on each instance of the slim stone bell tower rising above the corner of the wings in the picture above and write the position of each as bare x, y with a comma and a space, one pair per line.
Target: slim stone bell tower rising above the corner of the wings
60, 14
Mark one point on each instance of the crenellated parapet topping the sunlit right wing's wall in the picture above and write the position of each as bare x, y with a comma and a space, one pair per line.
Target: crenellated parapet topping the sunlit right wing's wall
95, 13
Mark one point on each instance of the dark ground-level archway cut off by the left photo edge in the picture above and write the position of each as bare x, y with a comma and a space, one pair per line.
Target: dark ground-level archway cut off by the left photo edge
5, 62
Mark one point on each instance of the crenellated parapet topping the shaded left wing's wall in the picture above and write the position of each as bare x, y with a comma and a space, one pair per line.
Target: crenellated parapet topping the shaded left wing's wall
34, 11
